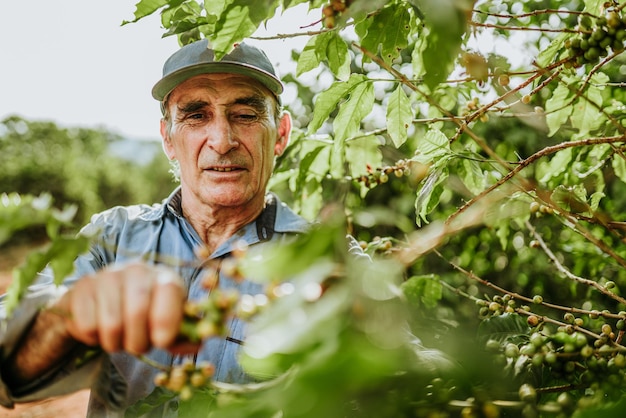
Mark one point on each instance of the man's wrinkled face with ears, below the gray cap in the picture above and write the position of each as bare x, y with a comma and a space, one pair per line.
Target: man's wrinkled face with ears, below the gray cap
224, 132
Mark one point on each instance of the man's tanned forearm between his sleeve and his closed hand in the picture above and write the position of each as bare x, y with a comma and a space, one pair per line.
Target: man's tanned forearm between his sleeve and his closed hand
42, 348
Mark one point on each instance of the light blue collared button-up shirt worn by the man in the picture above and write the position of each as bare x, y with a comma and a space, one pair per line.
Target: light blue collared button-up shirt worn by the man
156, 234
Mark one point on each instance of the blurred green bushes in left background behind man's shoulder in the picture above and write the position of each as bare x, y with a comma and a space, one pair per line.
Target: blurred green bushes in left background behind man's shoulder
76, 166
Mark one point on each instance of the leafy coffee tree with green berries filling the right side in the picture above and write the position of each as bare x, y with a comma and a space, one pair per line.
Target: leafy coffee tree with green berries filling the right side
488, 188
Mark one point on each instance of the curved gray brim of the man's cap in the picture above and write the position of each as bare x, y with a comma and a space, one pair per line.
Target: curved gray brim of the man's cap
164, 86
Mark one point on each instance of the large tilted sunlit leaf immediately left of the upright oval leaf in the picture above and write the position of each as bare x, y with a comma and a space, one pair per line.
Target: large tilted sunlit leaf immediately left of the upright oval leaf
352, 112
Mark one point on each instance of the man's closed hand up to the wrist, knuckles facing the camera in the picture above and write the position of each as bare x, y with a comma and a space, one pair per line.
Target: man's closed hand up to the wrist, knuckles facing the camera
130, 308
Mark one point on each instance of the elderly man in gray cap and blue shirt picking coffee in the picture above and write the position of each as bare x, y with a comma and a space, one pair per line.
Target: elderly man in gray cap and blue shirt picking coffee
223, 126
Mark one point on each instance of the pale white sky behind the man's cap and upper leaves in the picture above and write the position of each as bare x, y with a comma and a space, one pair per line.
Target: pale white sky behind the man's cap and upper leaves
71, 62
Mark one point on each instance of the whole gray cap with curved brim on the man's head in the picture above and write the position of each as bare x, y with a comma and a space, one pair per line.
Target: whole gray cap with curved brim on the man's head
197, 58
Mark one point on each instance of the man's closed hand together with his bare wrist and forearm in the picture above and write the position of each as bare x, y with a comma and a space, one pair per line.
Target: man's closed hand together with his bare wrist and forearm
130, 308
